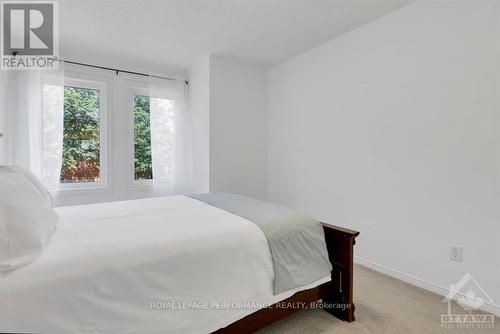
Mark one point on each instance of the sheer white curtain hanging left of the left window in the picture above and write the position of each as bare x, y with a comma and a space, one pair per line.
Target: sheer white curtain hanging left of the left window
34, 116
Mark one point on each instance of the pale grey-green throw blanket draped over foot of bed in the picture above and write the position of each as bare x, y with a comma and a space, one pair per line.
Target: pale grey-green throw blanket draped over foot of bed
296, 241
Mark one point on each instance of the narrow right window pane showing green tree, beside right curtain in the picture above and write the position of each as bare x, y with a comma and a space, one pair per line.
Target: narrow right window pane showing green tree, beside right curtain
142, 138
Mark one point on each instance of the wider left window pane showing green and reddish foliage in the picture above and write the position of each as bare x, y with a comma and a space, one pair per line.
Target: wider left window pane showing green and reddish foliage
81, 154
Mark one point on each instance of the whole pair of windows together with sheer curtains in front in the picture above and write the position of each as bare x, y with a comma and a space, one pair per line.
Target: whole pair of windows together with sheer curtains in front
87, 112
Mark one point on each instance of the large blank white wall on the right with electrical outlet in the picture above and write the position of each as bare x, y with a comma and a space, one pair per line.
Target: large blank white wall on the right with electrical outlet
392, 129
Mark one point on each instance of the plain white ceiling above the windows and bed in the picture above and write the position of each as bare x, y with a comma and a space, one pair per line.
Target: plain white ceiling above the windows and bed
176, 32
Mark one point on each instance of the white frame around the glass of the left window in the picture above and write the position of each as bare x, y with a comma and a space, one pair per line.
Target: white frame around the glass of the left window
81, 80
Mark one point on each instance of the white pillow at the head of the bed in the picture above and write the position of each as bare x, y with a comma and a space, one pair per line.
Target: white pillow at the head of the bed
27, 219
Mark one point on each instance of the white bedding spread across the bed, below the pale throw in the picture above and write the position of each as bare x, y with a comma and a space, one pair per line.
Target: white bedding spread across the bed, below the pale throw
107, 263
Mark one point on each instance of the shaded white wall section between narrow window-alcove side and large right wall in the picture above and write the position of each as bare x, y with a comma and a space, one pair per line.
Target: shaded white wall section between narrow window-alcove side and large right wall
238, 127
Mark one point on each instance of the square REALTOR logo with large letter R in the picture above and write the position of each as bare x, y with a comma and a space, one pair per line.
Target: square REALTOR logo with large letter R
30, 35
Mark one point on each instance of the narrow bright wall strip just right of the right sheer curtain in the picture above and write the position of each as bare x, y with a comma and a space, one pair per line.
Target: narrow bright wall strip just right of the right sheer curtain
199, 118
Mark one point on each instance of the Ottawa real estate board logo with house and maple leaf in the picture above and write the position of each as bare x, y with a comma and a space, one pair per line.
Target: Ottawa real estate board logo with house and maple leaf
469, 296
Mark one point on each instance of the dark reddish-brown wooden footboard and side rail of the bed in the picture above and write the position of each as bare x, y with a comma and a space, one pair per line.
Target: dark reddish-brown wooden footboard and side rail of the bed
336, 295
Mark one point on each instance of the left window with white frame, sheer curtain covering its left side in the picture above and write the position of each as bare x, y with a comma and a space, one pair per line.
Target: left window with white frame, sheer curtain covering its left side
73, 140
